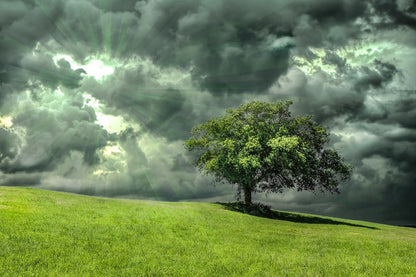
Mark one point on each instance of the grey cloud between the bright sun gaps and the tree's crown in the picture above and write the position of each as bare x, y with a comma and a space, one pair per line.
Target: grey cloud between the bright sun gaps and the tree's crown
136, 93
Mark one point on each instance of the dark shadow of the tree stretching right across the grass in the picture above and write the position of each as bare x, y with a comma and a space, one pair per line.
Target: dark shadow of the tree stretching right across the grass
261, 210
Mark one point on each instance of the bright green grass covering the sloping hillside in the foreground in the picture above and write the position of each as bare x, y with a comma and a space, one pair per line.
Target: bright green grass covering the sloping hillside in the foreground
45, 233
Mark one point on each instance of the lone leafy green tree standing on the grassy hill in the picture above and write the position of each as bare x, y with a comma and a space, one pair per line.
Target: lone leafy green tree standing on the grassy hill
261, 147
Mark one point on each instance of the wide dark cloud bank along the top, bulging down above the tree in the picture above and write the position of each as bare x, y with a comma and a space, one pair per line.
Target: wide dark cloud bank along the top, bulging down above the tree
231, 46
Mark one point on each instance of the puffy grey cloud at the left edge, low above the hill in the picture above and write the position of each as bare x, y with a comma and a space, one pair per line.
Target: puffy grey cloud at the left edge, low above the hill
51, 134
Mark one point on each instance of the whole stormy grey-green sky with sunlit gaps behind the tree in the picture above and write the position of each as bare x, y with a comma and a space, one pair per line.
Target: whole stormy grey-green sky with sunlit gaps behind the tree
97, 97
